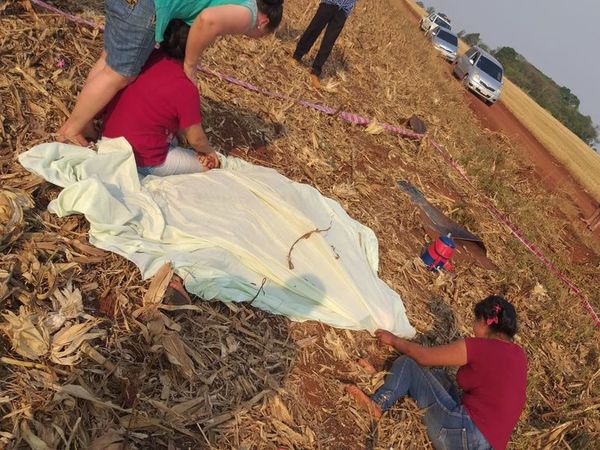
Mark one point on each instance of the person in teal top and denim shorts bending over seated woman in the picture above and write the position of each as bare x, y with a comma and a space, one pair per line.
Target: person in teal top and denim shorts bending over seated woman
133, 27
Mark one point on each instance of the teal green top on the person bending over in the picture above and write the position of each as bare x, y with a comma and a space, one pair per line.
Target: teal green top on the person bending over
187, 10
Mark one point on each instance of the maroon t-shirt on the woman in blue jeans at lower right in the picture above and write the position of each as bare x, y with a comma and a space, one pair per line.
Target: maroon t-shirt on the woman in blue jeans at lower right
494, 382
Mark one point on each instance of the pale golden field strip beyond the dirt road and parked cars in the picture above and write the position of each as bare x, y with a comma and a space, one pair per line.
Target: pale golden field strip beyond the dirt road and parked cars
579, 158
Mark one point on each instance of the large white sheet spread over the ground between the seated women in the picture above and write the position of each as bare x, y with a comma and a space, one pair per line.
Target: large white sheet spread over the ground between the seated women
225, 231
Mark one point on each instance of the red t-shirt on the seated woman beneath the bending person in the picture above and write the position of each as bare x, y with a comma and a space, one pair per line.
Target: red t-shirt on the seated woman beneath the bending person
161, 101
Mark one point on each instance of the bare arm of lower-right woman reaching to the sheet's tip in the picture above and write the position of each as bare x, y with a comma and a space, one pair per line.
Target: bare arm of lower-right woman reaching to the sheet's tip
453, 354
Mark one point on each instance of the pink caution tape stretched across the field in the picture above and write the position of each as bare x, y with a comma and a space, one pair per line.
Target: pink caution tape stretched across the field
359, 120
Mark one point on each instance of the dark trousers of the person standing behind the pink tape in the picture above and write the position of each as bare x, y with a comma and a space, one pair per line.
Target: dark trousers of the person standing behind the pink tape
330, 16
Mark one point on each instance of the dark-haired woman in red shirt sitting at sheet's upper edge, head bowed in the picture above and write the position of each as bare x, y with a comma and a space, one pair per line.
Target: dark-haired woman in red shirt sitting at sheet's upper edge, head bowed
160, 104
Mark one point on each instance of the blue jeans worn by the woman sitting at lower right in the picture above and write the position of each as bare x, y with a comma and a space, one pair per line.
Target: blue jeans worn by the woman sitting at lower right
449, 425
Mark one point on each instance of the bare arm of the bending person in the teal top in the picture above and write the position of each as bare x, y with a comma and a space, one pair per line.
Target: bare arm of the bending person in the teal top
209, 24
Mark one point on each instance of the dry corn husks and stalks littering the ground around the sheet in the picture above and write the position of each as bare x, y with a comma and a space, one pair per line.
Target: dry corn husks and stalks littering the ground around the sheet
233, 377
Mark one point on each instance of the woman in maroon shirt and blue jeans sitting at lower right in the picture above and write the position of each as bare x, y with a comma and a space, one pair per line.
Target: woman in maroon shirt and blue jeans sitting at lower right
492, 375
